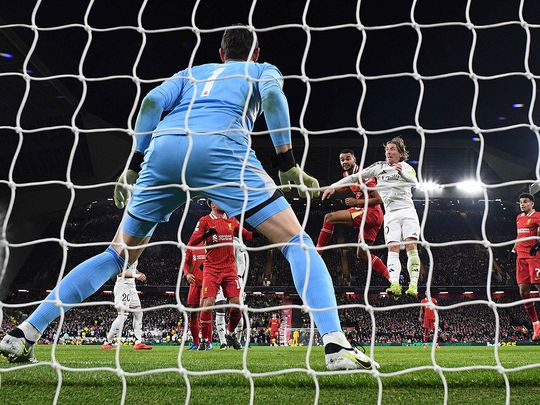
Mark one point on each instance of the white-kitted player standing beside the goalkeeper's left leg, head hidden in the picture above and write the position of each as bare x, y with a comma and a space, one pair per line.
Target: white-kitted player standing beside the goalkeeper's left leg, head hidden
126, 297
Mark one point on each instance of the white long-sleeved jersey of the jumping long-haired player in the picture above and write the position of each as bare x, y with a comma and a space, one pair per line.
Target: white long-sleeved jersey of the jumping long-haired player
394, 188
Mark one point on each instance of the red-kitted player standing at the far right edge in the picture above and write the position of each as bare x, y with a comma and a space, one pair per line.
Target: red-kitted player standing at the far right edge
527, 261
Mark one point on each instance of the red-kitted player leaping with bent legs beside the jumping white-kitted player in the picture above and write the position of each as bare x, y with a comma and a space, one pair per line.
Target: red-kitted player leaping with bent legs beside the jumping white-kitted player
353, 215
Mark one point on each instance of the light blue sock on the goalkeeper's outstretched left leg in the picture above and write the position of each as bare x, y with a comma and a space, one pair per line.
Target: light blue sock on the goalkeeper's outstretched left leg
79, 284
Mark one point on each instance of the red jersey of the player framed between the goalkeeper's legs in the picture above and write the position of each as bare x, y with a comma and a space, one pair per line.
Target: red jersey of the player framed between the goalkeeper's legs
221, 258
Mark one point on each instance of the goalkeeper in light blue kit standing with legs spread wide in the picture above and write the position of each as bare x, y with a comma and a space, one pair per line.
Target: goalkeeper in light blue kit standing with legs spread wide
211, 111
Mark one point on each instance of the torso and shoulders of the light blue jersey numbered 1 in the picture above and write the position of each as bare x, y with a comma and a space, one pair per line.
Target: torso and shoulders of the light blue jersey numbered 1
212, 98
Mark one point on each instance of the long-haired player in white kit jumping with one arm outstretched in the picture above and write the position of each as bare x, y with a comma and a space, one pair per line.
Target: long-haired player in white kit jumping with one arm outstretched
395, 179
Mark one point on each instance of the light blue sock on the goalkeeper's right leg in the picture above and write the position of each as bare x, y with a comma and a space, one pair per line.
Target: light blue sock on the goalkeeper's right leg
320, 291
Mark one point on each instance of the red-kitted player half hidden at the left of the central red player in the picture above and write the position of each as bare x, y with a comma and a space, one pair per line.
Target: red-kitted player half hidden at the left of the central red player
193, 267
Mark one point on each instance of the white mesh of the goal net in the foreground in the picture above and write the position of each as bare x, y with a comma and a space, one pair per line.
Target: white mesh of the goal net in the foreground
364, 135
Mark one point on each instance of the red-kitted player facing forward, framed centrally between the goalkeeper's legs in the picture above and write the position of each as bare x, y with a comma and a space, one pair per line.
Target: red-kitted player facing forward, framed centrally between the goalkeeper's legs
219, 270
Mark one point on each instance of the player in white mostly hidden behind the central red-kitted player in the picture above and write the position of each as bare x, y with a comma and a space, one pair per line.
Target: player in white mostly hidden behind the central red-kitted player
241, 258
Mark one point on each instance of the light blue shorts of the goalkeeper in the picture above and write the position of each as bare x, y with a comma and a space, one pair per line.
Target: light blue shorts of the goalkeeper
214, 167
